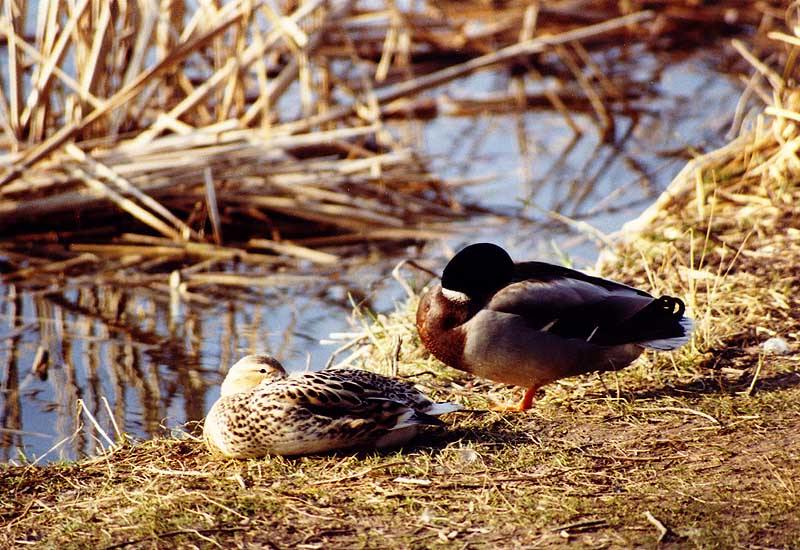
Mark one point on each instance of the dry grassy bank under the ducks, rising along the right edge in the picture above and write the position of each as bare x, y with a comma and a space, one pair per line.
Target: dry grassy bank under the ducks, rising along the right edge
696, 448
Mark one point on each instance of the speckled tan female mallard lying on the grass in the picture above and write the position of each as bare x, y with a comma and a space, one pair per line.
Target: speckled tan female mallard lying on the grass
262, 410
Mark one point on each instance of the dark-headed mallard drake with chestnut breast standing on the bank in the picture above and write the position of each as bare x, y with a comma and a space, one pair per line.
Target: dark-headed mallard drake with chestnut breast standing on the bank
531, 323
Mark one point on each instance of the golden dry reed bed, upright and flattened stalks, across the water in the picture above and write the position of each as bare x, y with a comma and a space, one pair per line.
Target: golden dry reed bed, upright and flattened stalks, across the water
196, 134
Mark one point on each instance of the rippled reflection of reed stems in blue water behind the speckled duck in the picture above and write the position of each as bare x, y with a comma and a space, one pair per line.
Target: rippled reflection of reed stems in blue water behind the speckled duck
138, 363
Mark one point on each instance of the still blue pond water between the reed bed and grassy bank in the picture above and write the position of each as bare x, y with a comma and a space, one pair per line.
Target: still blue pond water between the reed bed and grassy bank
142, 365
